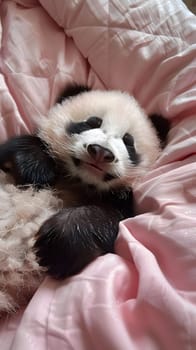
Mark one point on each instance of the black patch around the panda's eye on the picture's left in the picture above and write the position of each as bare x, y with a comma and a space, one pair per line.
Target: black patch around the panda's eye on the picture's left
78, 128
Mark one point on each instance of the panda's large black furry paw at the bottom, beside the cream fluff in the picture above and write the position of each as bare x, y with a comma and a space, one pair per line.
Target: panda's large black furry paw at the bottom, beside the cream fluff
74, 237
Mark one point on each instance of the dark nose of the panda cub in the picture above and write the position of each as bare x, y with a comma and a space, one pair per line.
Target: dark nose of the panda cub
100, 153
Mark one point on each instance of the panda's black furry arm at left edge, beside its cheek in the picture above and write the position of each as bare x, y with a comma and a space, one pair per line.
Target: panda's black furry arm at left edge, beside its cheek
27, 159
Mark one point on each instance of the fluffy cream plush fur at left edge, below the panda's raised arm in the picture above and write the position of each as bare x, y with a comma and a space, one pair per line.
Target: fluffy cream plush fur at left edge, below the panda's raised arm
22, 212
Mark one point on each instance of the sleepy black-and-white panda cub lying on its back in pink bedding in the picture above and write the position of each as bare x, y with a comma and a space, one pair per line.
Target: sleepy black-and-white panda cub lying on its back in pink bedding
91, 149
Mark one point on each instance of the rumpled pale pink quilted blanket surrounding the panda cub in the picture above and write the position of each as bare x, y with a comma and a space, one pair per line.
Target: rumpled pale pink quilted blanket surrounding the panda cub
144, 297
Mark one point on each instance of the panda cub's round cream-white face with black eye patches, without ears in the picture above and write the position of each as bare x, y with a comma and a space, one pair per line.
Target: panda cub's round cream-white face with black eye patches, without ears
104, 138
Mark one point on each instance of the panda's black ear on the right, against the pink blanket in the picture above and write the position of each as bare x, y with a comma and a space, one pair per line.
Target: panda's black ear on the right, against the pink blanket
162, 127
